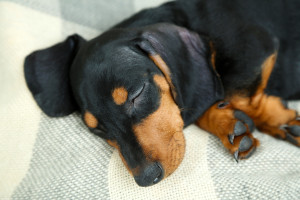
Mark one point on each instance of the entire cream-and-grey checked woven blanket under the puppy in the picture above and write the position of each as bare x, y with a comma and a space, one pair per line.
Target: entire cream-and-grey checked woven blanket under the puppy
58, 158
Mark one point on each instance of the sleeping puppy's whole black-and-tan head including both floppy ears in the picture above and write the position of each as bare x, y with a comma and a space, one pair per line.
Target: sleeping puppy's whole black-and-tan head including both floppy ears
136, 88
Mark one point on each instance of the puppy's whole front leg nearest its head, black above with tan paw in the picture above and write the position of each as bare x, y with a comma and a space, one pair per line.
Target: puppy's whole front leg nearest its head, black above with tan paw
239, 67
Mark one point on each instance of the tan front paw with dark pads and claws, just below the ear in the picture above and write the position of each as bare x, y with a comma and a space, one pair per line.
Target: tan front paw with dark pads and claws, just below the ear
233, 127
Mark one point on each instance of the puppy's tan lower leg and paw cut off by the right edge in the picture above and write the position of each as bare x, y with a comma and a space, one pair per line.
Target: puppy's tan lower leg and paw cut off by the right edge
269, 113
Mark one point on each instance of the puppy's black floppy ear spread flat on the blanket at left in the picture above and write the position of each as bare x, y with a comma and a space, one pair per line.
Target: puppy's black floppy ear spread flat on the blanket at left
47, 76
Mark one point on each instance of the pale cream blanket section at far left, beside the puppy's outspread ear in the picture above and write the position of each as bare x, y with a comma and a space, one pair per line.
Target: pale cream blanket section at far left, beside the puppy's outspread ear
22, 31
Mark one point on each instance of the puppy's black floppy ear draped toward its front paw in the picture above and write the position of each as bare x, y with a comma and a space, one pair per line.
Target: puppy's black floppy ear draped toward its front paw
185, 60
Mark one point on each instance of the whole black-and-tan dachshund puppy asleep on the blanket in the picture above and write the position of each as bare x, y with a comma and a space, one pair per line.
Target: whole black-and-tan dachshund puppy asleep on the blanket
224, 65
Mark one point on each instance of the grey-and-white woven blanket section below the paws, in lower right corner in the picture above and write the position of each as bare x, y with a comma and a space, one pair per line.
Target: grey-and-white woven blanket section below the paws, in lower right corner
272, 172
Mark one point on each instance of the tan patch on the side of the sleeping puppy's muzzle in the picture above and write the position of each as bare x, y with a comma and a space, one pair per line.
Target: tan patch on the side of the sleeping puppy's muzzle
161, 133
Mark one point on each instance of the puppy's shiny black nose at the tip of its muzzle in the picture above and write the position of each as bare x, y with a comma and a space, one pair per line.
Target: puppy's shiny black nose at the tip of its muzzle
150, 175
